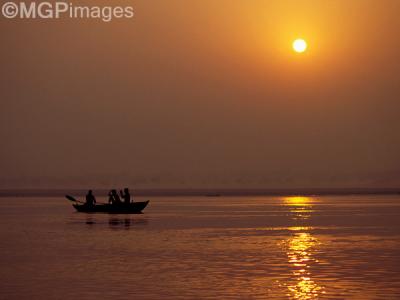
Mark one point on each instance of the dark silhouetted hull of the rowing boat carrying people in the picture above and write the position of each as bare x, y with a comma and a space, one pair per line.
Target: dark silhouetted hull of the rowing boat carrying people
132, 208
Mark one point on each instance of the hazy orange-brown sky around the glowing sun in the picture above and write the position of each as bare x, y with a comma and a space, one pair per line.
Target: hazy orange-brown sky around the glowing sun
204, 93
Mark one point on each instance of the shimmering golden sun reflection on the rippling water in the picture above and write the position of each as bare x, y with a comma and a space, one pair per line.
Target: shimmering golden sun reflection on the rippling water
300, 250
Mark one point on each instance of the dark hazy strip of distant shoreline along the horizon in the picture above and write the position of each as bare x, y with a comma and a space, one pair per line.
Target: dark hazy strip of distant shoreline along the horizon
205, 192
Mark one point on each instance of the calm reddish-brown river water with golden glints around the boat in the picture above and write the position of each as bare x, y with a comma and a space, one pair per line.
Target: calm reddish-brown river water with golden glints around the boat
328, 247
